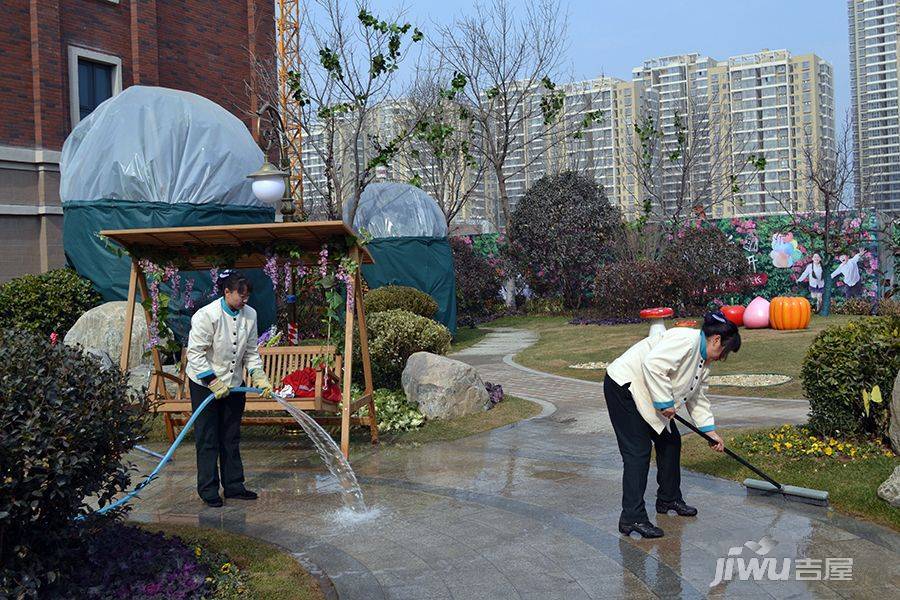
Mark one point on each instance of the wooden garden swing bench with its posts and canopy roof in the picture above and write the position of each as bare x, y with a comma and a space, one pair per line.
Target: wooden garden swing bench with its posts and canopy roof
195, 245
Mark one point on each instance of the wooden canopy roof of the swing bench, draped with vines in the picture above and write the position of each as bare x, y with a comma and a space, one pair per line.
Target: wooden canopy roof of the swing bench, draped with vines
195, 244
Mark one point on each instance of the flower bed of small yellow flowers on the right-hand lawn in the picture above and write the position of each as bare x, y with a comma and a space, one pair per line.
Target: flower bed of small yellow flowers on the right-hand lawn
798, 441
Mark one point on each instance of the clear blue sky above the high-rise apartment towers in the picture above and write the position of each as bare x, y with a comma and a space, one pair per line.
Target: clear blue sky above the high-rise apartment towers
611, 37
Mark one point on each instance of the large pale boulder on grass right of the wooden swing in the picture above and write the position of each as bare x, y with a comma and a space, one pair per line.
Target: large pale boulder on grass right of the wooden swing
442, 387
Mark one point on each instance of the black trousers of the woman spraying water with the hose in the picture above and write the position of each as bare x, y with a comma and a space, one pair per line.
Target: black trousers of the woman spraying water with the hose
217, 435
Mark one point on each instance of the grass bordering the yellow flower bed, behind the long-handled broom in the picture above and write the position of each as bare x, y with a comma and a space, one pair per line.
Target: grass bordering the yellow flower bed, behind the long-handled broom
852, 486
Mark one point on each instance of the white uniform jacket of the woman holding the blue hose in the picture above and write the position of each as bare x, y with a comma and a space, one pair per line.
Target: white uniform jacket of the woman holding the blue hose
222, 342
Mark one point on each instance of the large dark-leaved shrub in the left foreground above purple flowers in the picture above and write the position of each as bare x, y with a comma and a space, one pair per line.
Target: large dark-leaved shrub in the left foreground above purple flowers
66, 426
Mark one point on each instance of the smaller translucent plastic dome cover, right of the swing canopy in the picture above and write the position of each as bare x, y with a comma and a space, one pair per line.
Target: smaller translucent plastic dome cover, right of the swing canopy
397, 210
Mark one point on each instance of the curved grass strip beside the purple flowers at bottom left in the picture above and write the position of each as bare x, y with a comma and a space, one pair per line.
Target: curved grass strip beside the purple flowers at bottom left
272, 574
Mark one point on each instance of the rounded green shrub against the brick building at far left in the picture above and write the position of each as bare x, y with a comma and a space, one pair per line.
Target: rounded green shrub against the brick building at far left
45, 303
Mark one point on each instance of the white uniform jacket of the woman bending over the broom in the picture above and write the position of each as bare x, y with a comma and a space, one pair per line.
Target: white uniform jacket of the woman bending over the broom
664, 371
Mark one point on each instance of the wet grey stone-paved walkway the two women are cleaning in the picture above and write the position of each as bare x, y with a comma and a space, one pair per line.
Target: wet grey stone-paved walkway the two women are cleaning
527, 511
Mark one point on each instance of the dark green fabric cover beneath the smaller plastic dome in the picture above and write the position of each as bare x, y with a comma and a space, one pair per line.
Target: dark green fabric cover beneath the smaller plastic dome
424, 263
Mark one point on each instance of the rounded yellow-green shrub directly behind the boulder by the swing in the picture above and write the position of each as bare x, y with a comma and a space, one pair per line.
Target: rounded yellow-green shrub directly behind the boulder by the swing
394, 336
